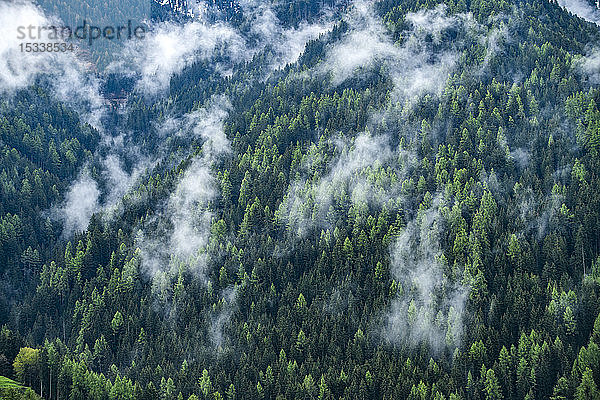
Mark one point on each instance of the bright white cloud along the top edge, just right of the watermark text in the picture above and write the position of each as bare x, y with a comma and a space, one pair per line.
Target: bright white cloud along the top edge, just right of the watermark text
171, 47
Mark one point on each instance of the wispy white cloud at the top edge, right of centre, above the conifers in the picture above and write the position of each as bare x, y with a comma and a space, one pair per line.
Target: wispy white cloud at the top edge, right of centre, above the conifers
419, 64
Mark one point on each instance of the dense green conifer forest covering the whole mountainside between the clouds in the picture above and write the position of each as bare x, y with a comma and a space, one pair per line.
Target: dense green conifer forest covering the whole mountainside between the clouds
299, 275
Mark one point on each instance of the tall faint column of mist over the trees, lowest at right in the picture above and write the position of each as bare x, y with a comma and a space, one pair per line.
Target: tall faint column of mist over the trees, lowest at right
429, 307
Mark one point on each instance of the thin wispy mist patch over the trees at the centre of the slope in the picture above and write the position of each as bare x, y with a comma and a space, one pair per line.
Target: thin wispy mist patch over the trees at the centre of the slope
310, 202
